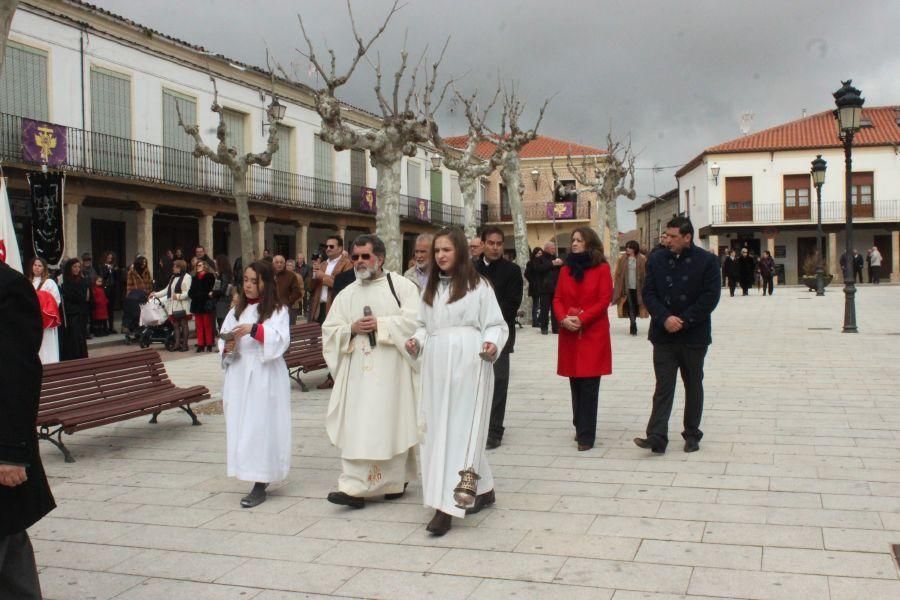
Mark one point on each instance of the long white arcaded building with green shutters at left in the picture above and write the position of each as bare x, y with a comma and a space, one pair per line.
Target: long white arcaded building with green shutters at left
132, 184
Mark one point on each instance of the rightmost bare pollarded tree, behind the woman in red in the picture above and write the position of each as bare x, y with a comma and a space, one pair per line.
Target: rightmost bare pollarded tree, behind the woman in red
610, 177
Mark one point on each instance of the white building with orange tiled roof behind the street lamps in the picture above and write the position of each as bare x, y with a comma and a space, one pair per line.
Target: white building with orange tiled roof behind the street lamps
756, 191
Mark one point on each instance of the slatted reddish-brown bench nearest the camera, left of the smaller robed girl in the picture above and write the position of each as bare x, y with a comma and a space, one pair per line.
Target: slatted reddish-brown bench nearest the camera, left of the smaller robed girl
89, 392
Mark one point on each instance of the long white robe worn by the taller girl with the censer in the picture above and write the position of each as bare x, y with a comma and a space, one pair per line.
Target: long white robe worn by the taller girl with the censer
457, 386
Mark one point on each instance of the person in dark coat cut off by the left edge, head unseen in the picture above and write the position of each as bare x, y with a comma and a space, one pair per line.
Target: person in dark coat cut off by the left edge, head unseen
24, 493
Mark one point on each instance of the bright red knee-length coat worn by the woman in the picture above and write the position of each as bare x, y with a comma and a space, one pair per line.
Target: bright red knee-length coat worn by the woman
586, 353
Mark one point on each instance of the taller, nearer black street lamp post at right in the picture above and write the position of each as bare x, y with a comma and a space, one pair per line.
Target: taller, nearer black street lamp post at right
848, 114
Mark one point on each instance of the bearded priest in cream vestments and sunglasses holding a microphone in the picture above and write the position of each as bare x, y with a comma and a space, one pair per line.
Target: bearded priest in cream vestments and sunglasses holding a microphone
372, 414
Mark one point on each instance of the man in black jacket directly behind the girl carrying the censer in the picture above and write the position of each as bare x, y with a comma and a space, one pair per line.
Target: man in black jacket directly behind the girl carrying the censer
506, 277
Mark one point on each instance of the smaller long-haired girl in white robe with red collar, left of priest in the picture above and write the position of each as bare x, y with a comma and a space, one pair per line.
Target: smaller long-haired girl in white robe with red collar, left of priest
256, 395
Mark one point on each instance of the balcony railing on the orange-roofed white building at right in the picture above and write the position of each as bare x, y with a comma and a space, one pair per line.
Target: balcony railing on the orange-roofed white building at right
832, 212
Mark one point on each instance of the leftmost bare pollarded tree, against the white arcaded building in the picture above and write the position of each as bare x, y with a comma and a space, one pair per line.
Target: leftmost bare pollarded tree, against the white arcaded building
238, 166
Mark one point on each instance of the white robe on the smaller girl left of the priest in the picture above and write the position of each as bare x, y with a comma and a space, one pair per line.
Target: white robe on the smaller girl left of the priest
256, 398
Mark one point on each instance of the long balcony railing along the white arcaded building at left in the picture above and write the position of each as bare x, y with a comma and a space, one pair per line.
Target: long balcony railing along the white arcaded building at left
110, 156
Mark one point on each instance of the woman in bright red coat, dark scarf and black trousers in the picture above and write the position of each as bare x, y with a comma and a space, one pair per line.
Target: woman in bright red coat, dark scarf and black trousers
582, 299
